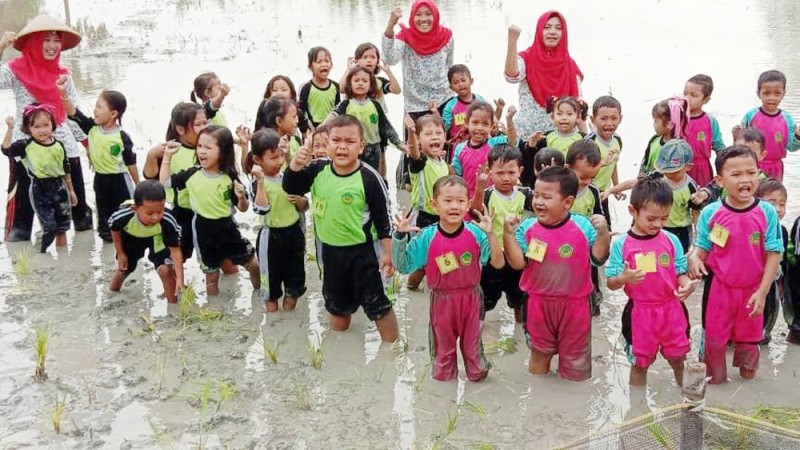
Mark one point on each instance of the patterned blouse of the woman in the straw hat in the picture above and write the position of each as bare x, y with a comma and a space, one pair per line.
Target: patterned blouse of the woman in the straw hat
64, 133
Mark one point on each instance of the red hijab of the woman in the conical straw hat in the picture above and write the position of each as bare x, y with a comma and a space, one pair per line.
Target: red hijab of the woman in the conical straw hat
39, 75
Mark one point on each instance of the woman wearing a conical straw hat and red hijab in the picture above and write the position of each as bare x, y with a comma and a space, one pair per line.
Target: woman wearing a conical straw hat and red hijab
32, 76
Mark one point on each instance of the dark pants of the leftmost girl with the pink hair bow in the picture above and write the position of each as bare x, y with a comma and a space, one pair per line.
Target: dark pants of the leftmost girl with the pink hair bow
50, 200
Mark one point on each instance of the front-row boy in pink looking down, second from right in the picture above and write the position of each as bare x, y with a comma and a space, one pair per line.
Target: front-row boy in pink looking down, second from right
649, 262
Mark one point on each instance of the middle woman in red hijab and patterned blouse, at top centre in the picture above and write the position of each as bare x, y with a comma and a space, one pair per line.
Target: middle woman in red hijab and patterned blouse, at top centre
426, 50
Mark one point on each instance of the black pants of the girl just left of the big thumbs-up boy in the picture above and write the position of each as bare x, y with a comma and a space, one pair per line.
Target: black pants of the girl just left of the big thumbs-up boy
281, 258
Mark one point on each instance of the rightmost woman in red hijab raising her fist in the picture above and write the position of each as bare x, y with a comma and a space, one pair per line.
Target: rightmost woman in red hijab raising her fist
542, 71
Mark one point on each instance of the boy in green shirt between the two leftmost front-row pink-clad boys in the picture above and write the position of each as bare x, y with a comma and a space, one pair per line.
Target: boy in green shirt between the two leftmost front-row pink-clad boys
505, 198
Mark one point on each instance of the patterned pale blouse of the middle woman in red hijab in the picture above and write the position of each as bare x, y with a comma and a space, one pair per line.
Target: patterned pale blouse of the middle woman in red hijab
424, 77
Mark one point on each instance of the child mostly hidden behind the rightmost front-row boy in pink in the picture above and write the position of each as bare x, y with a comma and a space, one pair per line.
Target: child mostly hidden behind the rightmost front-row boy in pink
774, 192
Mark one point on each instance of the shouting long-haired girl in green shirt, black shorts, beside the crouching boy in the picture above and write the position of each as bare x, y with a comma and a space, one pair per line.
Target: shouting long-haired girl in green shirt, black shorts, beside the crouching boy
213, 190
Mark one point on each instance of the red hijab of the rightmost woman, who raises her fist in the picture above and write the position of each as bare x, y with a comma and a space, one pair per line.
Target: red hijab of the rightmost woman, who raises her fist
550, 71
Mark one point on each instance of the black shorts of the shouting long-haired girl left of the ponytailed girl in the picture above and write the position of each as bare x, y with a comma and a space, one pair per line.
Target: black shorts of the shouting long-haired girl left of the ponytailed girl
219, 239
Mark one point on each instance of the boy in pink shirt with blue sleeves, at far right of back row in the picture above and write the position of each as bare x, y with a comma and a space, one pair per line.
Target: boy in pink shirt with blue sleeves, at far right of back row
777, 125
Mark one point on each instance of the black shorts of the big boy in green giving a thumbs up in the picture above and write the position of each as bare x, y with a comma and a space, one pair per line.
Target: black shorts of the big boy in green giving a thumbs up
352, 279
